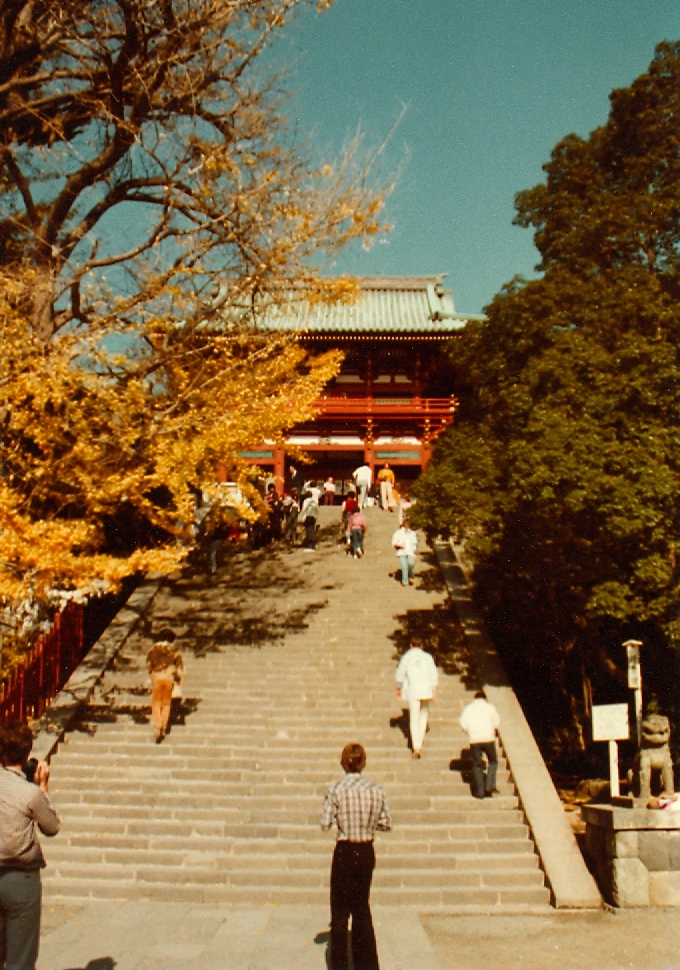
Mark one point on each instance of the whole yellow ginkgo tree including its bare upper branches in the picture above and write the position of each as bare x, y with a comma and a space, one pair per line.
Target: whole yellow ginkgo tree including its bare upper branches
155, 211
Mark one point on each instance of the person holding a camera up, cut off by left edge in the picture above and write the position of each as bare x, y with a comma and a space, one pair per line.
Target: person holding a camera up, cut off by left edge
24, 804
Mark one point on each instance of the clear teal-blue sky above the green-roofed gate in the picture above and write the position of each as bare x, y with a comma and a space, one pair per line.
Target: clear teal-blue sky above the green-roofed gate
491, 86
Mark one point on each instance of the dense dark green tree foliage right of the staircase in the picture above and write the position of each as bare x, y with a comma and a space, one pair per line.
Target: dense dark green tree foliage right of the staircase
562, 473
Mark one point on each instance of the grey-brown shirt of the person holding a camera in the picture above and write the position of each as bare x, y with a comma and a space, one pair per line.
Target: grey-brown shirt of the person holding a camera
23, 806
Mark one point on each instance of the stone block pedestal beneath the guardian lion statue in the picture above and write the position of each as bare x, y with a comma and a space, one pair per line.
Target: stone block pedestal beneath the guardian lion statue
636, 854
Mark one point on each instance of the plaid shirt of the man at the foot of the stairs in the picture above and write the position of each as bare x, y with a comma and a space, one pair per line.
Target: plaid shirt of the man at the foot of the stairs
358, 806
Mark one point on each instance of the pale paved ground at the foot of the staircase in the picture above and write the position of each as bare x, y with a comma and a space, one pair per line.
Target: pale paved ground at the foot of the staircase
171, 936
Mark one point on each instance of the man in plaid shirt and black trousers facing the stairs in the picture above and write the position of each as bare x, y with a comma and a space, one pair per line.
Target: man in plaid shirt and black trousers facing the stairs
358, 807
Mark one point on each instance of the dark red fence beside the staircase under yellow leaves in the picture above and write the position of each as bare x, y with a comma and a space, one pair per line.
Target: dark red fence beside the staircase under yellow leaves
32, 685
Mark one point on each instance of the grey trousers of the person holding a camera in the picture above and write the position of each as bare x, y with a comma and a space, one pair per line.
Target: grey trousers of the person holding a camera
20, 894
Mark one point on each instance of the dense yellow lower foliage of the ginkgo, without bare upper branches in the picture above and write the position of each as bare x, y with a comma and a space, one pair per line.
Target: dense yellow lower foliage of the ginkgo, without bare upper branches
100, 464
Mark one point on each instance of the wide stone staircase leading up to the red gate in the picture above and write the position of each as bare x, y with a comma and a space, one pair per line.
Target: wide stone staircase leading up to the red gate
289, 656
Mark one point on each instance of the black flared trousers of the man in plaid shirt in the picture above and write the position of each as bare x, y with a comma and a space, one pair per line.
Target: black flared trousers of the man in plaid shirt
351, 874
